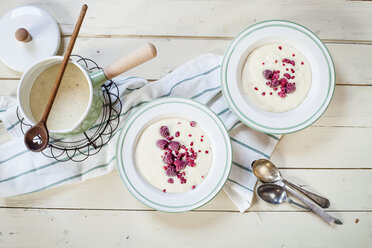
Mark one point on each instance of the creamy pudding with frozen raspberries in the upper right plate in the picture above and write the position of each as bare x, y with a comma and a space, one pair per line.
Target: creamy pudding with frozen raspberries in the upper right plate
276, 77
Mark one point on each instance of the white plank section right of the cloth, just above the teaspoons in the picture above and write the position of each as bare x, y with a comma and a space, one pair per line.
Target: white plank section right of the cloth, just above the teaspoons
320, 147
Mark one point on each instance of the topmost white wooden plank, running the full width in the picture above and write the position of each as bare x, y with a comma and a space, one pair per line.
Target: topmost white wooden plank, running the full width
334, 19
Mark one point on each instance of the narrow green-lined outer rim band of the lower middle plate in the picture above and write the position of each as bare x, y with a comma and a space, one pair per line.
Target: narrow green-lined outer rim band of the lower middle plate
126, 127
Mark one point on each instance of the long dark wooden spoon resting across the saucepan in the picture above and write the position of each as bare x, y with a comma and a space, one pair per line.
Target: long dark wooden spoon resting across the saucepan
37, 137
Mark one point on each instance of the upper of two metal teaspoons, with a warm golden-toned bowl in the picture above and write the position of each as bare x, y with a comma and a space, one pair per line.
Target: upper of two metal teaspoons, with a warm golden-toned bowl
266, 171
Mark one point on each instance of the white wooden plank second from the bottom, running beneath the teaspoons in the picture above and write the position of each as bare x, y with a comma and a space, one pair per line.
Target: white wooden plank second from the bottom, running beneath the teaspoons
108, 192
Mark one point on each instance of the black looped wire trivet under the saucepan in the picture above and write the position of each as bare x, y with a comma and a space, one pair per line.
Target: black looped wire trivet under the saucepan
79, 147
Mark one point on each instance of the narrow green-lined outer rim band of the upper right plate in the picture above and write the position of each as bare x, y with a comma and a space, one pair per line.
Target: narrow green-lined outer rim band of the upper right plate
276, 23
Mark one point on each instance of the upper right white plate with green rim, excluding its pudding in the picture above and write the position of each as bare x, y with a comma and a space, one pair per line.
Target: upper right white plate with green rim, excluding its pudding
316, 53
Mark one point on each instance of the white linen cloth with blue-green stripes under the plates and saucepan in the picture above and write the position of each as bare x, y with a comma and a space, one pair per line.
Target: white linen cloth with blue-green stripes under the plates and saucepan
23, 172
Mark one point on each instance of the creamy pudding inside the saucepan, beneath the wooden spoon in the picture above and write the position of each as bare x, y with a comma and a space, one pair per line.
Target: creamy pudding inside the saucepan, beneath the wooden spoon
71, 101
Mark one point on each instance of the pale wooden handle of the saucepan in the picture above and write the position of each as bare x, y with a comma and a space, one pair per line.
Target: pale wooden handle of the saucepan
135, 58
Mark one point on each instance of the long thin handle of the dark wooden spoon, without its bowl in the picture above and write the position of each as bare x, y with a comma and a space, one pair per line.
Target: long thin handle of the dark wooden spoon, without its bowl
64, 63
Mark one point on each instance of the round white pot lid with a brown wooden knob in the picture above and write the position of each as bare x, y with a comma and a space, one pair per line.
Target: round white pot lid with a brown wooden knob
44, 42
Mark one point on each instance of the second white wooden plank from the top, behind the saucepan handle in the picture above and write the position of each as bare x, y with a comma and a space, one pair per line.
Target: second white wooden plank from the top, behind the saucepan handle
352, 61
